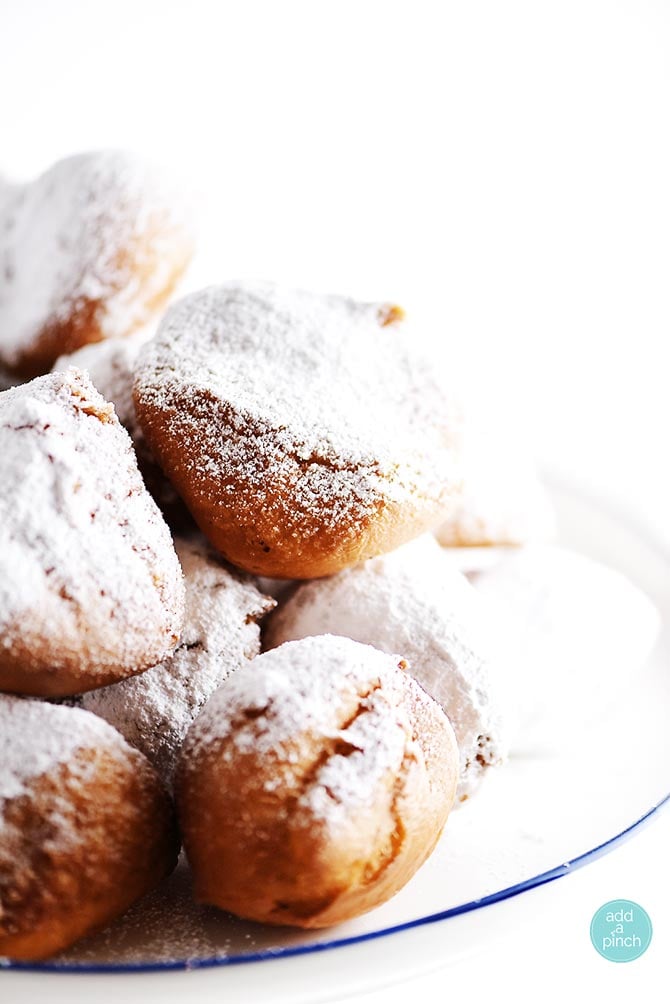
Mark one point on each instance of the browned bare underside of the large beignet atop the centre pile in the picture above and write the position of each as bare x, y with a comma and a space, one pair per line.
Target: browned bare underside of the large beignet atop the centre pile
254, 537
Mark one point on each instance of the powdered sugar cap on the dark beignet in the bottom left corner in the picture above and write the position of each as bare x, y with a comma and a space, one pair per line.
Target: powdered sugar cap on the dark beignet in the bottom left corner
37, 737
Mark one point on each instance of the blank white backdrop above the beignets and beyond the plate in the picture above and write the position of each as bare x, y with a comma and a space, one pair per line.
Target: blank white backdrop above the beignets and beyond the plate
502, 169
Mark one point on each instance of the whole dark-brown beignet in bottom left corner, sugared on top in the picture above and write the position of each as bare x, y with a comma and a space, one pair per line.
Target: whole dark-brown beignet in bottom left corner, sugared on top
87, 828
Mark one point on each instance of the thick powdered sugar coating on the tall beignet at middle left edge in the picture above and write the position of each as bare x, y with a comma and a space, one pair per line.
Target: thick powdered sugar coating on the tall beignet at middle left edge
89, 577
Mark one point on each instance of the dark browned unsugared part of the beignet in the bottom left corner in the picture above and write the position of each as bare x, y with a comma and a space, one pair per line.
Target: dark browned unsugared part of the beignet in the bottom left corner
86, 841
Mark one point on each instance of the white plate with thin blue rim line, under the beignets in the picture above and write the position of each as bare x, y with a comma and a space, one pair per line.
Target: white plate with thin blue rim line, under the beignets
533, 822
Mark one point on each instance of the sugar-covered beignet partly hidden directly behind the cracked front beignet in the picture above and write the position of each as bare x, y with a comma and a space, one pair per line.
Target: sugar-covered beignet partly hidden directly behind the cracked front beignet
413, 603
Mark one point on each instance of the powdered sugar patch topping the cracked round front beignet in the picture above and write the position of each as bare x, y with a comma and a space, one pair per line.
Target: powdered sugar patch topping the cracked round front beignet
302, 690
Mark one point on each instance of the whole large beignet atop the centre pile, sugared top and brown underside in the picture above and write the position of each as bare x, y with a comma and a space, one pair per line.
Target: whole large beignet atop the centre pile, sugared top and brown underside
312, 412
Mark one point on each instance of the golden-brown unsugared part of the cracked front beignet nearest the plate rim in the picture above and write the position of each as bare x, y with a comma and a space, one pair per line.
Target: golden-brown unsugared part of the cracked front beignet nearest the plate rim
259, 851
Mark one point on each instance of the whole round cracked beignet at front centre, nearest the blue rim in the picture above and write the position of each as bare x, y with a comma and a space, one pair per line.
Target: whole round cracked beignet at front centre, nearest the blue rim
315, 784
